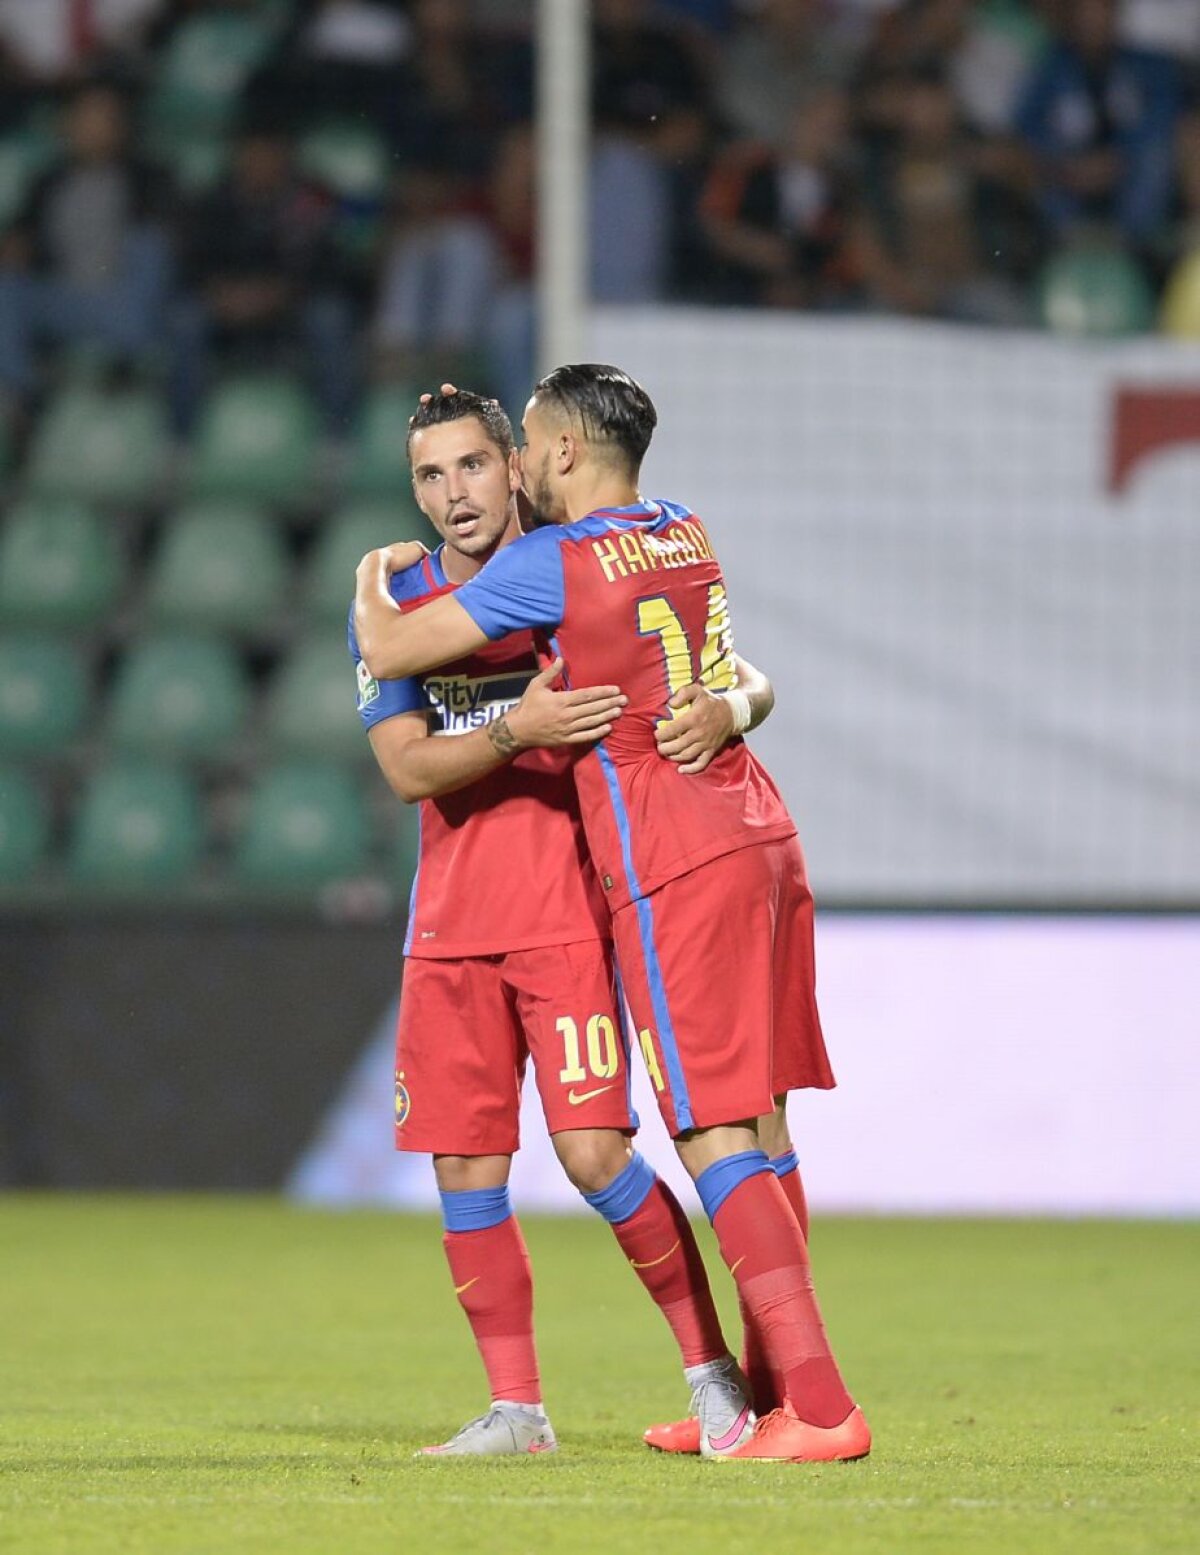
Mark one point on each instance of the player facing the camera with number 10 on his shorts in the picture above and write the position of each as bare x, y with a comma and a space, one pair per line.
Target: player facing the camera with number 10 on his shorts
508, 954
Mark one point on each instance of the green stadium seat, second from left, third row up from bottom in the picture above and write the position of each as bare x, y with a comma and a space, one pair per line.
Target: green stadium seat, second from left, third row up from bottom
222, 565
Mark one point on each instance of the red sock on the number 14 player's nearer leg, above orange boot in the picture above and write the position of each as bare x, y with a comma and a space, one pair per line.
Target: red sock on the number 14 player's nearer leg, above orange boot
762, 1245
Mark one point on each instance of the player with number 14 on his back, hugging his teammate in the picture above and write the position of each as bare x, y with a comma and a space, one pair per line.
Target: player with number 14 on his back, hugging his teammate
703, 873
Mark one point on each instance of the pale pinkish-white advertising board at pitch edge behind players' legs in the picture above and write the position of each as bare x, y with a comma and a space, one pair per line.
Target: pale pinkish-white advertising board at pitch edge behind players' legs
1010, 1066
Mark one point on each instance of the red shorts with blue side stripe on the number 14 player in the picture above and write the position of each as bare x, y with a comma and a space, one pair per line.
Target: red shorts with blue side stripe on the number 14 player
720, 979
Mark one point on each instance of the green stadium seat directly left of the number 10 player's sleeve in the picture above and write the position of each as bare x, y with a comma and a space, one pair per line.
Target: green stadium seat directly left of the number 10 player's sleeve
312, 705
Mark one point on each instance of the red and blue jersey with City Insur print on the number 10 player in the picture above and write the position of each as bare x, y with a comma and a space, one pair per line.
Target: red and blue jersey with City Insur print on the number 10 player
504, 862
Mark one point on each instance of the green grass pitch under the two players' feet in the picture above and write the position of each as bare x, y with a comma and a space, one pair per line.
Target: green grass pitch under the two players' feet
234, 1375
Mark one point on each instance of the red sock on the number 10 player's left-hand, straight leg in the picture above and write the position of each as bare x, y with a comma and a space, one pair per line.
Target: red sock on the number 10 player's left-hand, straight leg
495, 1288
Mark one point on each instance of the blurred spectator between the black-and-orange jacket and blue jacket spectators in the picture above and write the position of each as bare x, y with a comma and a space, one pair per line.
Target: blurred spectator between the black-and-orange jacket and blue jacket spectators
932, 203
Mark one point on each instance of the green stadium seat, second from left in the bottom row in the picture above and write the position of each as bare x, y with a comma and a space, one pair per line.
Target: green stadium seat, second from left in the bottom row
138, 826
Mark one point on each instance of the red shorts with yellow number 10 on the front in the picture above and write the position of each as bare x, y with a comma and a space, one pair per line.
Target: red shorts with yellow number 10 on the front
469, 1027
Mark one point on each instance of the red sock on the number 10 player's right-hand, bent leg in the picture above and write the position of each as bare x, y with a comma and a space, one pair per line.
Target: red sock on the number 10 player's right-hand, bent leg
663, 1251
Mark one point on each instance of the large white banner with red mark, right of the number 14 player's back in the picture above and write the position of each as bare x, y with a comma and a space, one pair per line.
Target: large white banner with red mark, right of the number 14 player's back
971, 562
